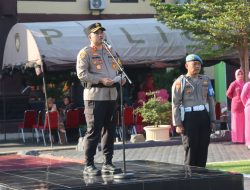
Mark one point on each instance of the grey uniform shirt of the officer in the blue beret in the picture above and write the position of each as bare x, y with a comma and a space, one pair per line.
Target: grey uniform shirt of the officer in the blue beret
187, 93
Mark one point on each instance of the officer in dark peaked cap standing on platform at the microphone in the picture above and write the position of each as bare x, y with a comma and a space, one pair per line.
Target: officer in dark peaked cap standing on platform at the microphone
97, 70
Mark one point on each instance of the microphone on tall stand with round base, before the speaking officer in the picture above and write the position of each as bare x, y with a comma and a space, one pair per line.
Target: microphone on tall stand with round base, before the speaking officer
124, 174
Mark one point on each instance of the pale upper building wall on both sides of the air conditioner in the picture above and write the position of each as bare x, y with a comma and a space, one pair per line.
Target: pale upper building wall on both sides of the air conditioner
82, 7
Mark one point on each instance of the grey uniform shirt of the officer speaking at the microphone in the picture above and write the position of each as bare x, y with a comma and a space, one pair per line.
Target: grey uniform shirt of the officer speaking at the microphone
91, 66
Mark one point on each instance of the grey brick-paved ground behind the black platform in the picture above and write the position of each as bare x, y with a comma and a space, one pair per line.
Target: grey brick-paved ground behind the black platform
171, 152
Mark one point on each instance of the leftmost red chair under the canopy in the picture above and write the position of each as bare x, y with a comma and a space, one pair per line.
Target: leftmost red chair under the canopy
28, 122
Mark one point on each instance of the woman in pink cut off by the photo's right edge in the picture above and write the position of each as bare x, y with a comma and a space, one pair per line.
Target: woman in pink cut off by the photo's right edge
245, 98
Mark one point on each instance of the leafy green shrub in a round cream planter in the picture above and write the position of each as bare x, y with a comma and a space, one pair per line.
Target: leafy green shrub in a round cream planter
157, 114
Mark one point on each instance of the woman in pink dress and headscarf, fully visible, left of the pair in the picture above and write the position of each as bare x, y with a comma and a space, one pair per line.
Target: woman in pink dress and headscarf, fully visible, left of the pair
237, 108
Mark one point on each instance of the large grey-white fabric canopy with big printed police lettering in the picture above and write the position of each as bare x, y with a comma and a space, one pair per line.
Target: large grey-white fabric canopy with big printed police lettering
138, 41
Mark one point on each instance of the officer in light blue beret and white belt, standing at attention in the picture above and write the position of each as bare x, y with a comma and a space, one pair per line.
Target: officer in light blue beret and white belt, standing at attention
193, 111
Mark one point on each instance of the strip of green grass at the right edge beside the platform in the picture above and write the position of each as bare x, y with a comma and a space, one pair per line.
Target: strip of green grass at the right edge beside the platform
235, 166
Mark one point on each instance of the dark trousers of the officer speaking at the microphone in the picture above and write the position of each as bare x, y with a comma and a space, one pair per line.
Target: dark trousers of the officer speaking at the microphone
100, 122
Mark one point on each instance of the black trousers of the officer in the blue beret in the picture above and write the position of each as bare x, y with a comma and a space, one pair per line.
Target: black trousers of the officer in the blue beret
196, 138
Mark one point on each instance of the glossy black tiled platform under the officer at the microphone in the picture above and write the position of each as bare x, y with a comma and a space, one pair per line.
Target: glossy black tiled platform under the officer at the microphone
27, 172
